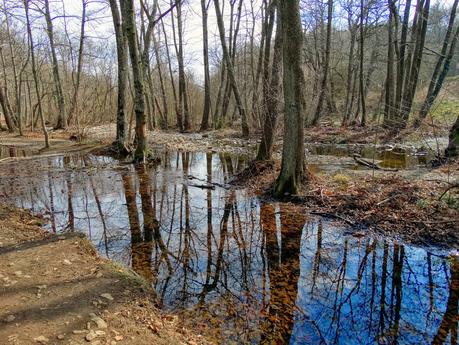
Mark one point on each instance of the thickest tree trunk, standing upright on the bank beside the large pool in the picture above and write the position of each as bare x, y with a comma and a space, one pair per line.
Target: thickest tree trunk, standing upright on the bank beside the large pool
292, 170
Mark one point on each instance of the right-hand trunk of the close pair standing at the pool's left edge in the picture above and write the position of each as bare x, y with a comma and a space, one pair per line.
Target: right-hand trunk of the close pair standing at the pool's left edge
138, 79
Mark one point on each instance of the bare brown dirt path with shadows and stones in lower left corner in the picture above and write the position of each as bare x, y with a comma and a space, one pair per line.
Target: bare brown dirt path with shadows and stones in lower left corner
54, 289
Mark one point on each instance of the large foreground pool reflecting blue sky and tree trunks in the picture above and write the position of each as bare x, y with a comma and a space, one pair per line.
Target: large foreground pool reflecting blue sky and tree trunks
255, 272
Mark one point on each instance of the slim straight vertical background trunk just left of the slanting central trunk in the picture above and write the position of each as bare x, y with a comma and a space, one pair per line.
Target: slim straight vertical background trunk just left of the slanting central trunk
205, 41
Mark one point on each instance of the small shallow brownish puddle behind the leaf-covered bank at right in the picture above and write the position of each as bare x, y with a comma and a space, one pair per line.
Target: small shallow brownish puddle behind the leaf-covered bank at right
386, 157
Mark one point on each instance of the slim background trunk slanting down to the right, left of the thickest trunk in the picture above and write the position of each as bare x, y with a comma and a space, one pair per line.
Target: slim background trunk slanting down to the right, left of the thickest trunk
230, 69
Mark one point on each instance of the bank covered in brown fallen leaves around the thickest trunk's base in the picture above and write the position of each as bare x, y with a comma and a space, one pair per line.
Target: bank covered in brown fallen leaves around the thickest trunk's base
412, 209
